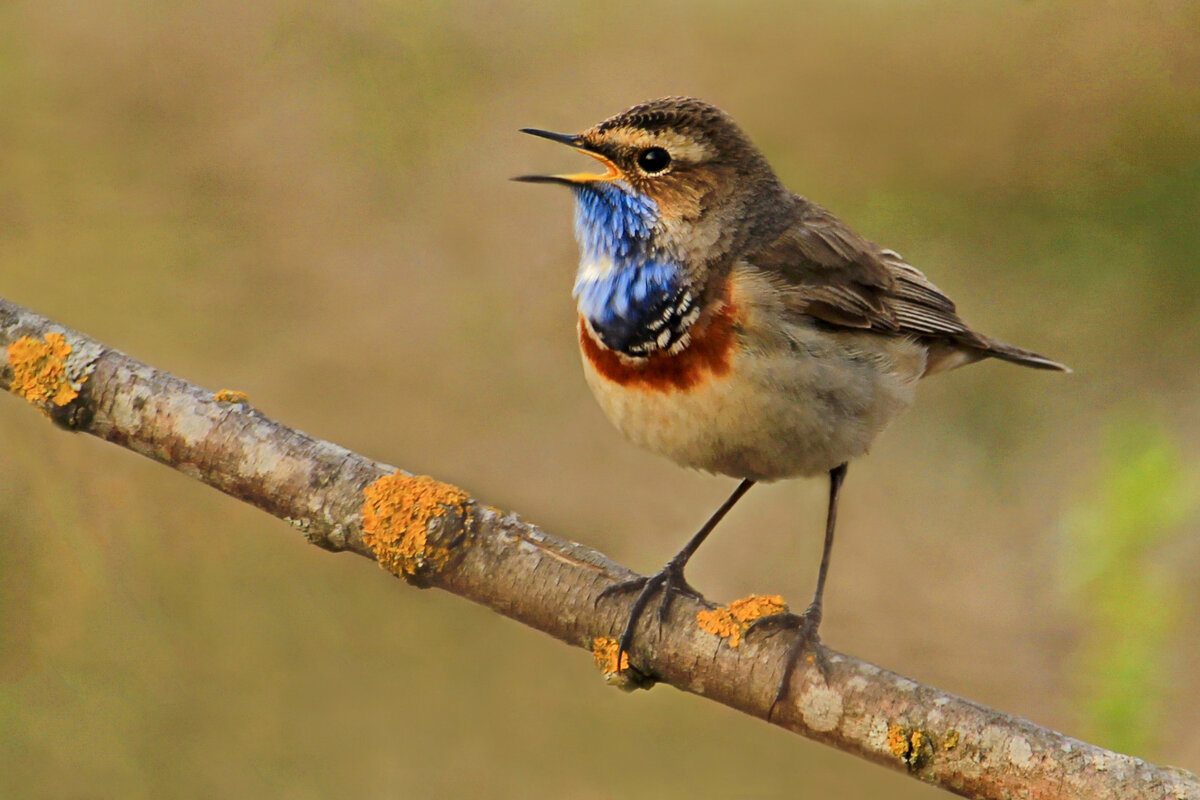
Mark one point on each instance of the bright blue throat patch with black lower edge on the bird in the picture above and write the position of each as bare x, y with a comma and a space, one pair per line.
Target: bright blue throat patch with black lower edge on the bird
637, 306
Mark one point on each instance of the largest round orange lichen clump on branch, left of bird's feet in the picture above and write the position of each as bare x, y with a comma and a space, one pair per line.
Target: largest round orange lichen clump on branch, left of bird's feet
397, 522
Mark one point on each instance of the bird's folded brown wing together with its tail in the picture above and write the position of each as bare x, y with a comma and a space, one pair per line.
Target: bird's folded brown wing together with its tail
833, 275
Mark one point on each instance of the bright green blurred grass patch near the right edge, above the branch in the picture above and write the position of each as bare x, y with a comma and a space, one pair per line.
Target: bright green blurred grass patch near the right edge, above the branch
1124, 574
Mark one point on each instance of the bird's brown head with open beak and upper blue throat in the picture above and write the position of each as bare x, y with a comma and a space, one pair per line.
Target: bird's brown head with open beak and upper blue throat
679, 175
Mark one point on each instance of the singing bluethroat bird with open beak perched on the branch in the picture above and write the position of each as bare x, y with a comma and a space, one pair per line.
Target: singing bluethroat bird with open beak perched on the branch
737, 328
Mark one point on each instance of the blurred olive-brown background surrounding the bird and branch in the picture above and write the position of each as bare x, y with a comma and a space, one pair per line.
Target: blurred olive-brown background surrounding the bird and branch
309, 202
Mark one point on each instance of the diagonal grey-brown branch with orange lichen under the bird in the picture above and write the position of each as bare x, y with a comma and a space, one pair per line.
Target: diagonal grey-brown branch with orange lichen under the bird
434, 534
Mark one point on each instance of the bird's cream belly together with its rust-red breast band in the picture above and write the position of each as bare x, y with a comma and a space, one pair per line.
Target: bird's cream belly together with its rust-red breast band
761, 414
